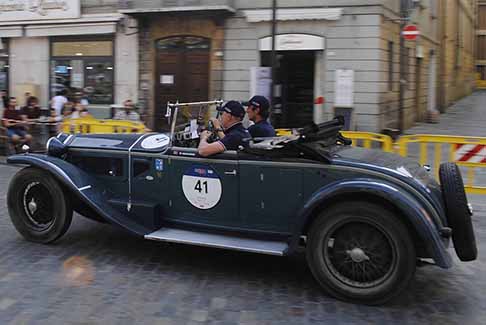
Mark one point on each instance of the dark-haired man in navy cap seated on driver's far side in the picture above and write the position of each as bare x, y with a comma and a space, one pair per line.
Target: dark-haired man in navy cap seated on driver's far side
258, 112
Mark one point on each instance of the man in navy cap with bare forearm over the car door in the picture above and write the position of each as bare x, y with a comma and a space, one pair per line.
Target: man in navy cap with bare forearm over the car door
230, 130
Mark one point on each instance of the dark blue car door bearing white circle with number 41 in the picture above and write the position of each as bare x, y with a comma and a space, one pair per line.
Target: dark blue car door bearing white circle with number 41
204, 191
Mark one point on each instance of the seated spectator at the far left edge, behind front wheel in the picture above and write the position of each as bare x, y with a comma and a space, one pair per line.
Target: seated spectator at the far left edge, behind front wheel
13, 120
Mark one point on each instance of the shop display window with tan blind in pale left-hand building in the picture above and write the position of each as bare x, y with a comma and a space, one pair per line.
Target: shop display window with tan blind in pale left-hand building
83, 69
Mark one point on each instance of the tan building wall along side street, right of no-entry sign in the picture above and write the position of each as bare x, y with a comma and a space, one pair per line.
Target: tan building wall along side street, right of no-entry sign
457, 63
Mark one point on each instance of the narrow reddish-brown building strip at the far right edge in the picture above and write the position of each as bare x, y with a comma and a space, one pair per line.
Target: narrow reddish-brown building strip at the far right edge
481, 44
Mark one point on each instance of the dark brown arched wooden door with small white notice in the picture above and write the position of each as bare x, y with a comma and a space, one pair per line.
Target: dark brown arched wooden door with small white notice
182, 72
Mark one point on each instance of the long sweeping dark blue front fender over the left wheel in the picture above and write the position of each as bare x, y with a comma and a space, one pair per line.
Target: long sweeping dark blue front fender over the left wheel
81, 184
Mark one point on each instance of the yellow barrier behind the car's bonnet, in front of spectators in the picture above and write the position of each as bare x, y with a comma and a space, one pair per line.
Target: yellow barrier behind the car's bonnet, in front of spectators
92, 125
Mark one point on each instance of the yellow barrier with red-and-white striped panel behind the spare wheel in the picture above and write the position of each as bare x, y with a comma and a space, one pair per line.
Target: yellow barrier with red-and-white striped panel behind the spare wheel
462, 150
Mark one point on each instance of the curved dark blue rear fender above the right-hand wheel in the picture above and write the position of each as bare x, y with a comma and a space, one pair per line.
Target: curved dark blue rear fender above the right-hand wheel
419, 216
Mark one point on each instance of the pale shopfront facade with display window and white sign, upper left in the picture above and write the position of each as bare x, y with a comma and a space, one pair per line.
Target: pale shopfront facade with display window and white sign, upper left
70, 45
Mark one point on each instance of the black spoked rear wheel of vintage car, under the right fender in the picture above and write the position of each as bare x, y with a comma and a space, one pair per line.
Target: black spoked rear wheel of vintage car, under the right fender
361, 252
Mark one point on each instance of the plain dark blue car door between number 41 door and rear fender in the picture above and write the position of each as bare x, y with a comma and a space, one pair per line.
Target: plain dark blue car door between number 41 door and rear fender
271, 193
